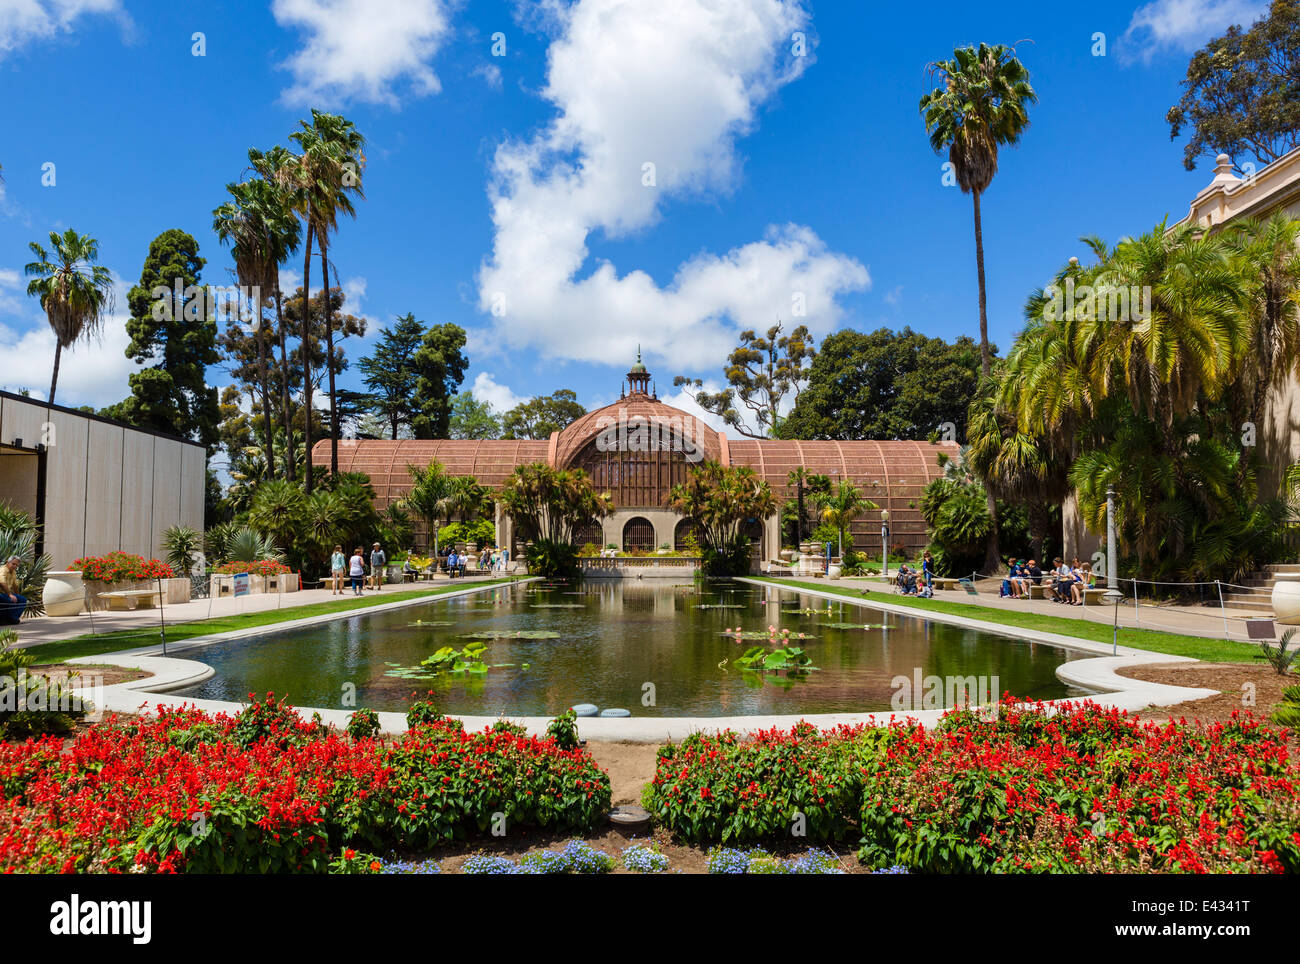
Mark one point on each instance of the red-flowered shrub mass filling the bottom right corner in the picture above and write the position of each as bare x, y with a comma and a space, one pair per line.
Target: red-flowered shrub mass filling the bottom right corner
1082, 791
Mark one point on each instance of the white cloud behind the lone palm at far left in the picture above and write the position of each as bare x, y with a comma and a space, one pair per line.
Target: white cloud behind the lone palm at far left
90, 374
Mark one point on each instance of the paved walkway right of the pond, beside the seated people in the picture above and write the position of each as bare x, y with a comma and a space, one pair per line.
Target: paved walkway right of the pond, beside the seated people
1207, 622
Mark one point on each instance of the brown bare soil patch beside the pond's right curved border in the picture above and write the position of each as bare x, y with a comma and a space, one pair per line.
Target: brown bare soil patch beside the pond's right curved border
1242, 687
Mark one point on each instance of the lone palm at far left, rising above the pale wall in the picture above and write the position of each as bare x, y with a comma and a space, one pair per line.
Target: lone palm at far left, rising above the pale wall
75, 293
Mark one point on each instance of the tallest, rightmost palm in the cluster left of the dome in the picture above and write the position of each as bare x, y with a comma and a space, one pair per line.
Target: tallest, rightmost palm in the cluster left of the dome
330, 170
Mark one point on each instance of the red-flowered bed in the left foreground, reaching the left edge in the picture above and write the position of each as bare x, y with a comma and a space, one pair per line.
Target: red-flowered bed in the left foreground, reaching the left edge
266, 792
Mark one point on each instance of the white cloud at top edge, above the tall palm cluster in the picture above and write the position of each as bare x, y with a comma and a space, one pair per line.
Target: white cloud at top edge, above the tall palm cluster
359, 51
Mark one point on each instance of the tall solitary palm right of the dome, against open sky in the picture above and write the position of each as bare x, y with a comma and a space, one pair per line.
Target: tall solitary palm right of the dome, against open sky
980, 103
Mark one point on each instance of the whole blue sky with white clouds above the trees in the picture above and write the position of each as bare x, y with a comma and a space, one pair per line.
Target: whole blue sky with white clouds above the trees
517, 184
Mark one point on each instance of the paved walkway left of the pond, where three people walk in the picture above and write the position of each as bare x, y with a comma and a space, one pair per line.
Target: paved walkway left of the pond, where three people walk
51, 629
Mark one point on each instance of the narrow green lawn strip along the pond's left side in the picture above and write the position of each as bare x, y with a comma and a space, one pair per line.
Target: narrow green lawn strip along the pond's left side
90, 645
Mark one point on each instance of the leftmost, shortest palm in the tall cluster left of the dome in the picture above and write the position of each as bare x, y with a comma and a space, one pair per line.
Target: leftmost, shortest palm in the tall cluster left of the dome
258, 225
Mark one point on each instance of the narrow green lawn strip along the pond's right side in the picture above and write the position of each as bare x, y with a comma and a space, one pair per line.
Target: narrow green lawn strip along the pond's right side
1155, 641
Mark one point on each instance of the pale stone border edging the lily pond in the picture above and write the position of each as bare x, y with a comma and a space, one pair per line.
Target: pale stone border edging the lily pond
1097, 674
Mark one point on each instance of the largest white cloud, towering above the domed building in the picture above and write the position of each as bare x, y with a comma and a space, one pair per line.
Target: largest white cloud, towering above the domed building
671, 84
